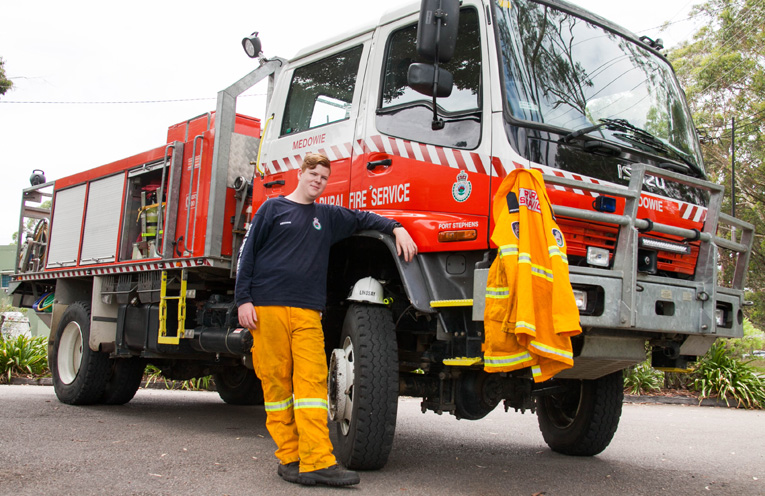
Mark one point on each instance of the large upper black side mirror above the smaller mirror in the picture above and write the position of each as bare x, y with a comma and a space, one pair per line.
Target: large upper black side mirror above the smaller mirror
437, 29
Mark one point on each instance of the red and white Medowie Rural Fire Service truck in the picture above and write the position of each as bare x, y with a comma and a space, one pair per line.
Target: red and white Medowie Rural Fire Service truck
422, 116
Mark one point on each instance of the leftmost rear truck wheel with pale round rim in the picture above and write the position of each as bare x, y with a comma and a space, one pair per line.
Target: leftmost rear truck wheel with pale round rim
79, 373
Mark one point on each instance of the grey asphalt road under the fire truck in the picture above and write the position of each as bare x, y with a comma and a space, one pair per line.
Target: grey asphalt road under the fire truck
191, 443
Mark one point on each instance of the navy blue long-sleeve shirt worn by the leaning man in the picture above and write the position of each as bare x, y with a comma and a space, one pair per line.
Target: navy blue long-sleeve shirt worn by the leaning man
285, 256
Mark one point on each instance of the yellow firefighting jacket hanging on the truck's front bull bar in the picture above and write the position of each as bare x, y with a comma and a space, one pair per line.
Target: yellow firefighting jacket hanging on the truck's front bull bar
530, 311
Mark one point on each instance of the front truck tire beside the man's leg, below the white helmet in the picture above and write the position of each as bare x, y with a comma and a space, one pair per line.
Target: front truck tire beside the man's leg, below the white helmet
366, 427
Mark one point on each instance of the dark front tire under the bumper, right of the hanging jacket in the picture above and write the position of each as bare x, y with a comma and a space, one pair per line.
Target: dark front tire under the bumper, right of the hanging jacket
582, 421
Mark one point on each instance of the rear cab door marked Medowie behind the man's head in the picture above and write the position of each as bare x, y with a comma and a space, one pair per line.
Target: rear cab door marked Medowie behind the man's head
315, 112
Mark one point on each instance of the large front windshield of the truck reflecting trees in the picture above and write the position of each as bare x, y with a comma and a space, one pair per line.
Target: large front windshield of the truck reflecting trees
564, 72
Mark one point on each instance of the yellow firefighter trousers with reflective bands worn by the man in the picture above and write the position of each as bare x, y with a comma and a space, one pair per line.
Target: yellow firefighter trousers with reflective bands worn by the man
288, 354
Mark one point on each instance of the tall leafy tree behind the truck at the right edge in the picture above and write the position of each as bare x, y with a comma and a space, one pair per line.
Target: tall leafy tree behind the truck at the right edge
723, 72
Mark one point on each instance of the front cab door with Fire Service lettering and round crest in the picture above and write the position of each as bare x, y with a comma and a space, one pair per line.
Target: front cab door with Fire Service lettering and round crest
435, 182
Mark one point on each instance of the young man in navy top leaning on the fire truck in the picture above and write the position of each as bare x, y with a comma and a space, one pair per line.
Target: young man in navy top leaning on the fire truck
281, 291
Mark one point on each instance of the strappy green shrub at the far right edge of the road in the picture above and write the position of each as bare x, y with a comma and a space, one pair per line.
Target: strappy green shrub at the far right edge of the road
720, 373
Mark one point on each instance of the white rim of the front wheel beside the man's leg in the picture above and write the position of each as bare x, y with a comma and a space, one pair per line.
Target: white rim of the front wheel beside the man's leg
341, 385
